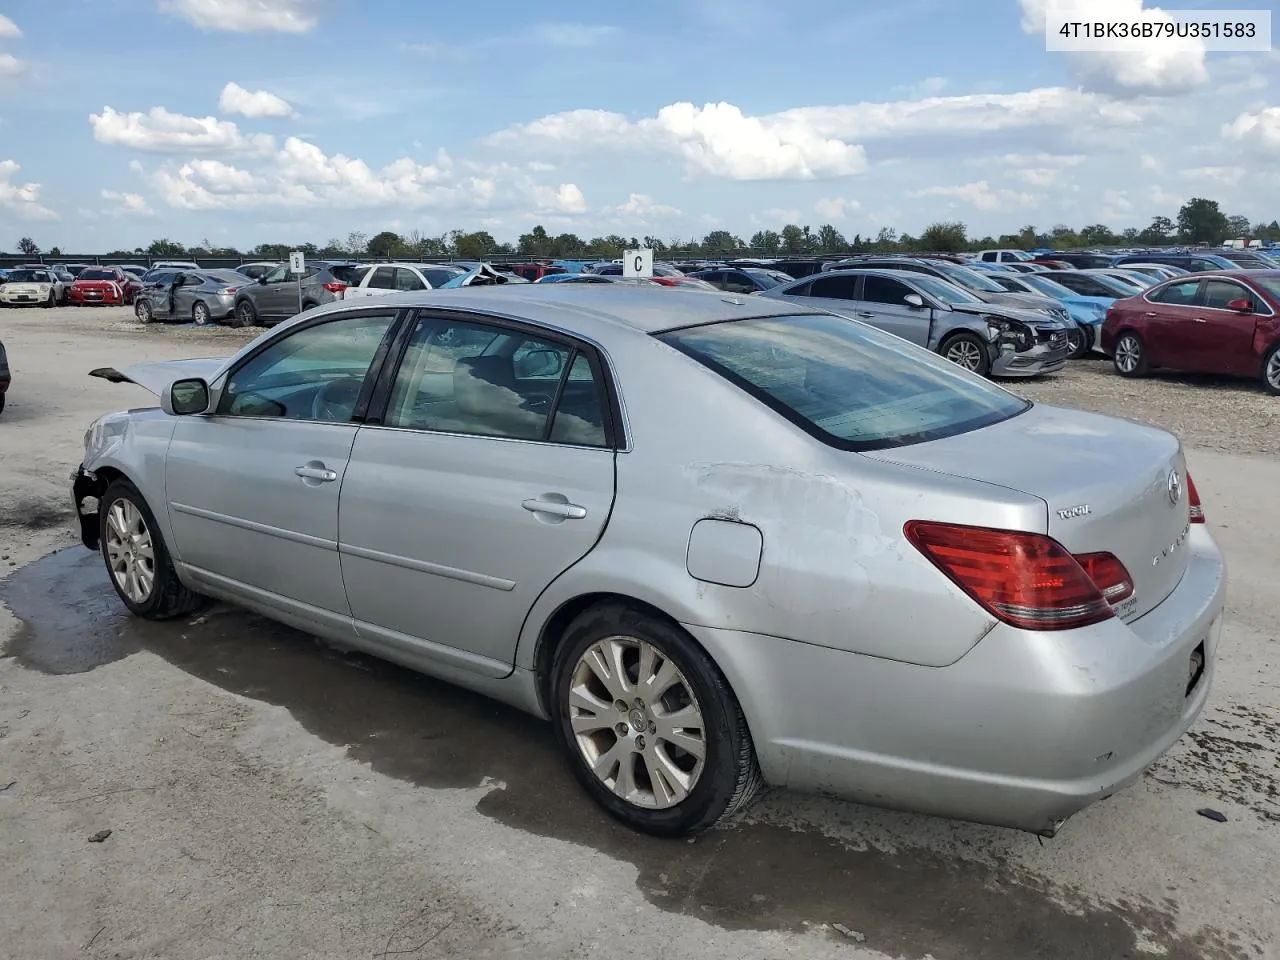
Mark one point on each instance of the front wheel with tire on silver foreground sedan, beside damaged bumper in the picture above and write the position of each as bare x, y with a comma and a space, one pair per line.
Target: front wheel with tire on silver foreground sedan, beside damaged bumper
138, 560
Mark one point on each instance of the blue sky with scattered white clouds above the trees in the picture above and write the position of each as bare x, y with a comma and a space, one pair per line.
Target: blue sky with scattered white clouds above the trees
254, 121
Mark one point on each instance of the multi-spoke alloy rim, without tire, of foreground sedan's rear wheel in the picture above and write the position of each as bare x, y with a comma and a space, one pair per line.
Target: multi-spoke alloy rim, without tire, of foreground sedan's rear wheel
637, 723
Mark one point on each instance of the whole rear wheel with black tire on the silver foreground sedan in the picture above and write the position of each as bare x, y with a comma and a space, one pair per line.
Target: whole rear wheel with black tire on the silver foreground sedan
648, 724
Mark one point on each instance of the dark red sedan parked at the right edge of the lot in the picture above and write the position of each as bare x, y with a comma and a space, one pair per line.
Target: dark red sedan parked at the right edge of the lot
1212, 323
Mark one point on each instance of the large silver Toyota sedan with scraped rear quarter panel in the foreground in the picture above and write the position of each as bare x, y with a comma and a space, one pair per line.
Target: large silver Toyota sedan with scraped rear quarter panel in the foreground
716, 542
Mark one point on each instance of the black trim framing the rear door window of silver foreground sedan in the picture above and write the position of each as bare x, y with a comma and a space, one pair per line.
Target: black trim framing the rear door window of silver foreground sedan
616, 433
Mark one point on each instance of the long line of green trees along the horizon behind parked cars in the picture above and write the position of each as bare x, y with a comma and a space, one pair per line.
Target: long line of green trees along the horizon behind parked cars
1200, 222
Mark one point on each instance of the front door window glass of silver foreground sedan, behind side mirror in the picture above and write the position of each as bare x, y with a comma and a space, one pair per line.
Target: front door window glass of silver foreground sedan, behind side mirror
316, 373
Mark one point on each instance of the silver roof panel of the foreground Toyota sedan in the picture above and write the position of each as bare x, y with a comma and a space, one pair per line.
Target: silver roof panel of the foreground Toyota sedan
587, 309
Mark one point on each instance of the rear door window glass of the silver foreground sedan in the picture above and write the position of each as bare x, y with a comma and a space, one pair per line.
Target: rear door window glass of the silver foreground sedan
473, 378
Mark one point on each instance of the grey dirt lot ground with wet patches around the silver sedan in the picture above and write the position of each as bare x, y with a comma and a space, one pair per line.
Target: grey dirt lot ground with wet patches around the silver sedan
271, 799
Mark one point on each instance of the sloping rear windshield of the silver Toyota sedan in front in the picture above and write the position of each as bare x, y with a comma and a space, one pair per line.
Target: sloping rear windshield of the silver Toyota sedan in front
851, 386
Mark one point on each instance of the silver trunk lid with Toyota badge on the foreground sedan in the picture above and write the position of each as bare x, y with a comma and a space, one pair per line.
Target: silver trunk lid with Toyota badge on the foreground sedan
1107, 484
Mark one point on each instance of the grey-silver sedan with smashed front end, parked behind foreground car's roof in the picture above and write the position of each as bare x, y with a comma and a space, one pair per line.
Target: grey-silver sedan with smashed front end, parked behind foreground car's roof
986, 339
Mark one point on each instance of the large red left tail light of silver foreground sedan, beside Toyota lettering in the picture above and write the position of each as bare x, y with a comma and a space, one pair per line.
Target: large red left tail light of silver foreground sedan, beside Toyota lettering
1026, 580
